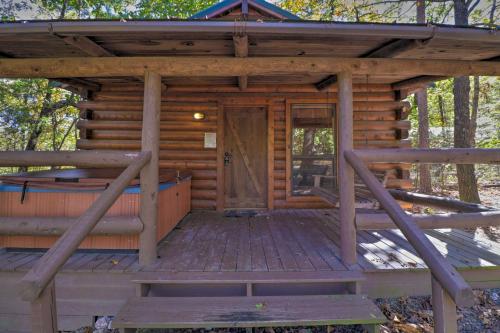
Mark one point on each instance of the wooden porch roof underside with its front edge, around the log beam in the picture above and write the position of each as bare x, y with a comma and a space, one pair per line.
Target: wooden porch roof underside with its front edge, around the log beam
56, 39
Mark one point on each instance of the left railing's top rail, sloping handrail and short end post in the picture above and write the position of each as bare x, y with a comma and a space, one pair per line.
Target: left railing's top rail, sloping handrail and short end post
37, 286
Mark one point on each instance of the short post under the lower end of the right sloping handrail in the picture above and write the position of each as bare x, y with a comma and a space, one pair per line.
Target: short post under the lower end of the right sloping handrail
445, 310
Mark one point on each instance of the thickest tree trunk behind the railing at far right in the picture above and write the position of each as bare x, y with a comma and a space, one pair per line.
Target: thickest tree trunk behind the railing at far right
467, 183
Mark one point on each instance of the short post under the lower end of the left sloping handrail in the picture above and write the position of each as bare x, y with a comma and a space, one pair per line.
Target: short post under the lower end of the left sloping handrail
43, 311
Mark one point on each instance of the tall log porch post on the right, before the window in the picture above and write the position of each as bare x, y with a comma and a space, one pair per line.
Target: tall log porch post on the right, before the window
346, 172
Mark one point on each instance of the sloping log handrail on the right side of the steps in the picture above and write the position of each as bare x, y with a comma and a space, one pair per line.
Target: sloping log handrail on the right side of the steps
440, 268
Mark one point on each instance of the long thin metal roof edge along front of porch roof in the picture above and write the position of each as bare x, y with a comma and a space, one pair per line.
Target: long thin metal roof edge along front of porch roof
315, 28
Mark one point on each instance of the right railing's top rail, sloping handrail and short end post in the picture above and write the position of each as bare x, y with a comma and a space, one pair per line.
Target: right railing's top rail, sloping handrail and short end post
448, 287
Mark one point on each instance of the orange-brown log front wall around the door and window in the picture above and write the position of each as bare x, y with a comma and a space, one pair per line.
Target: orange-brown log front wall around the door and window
112, 120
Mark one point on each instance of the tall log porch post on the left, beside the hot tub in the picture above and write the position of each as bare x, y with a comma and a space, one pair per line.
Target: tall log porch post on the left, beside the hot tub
150, 173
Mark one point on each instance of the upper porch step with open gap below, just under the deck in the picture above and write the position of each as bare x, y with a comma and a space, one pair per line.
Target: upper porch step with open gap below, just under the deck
186, 284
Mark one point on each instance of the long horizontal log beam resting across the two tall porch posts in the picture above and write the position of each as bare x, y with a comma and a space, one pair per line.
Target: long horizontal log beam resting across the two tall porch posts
251, 66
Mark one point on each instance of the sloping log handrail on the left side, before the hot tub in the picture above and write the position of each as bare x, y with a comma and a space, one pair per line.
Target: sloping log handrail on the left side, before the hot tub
37, 279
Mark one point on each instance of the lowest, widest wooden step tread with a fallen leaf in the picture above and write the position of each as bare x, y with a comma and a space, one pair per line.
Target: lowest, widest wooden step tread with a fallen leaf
247, 311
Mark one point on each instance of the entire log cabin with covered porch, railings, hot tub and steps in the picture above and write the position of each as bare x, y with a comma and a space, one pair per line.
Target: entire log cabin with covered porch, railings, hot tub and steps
232, 170
